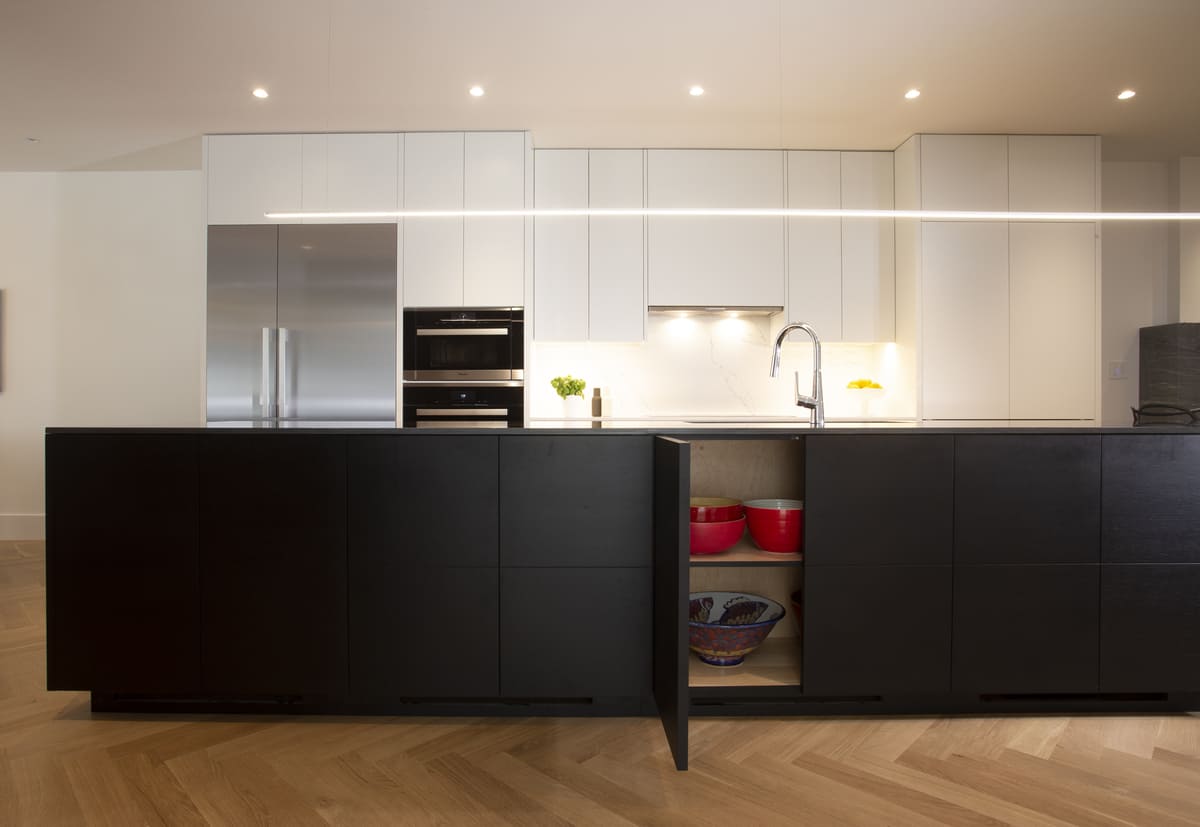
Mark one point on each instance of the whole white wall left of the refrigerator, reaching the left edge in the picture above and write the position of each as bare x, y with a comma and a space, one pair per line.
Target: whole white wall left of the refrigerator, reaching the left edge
104, 319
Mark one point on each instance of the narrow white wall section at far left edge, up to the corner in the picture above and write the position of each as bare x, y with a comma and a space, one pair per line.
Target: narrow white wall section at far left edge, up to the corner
29, 241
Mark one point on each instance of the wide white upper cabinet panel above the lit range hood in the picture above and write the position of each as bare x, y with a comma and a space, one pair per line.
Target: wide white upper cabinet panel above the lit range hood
716, 261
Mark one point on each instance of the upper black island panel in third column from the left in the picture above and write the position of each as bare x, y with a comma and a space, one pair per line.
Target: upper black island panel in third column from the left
431, 499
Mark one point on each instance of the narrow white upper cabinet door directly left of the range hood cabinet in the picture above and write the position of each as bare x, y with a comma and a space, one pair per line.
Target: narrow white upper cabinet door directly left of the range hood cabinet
616, 261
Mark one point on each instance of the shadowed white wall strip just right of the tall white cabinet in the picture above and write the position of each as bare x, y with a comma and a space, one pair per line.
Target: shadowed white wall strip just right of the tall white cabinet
1135, 274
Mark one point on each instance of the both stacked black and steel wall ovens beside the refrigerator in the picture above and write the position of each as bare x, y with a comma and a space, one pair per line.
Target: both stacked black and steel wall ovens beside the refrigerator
464, 368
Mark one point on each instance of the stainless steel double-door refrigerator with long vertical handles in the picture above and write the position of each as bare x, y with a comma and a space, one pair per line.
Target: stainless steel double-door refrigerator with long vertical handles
302, 326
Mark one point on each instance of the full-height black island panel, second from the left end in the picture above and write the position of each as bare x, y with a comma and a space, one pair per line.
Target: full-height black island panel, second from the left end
273, 564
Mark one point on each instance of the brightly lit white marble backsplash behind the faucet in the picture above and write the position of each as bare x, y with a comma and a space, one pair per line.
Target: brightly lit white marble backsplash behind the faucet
718, 367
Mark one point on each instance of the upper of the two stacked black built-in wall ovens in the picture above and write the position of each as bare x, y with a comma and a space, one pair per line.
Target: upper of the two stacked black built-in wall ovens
465, 345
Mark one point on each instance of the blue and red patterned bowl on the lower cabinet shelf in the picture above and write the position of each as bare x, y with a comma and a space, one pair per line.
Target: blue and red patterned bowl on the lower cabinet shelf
725, 627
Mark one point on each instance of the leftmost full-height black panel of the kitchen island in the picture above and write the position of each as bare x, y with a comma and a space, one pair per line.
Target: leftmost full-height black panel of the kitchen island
123, 571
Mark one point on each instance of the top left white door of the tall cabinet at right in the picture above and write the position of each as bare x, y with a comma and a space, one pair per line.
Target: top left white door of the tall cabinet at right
964, 172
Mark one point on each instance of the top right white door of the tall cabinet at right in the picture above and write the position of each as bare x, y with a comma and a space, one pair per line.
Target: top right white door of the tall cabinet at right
1053, 173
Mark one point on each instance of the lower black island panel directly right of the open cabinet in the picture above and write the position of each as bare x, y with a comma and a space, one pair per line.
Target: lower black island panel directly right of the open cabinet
873, 631
